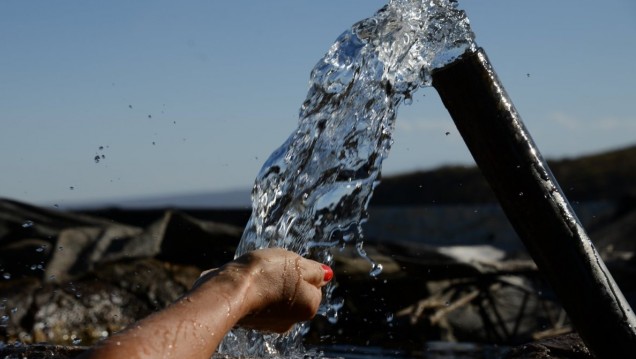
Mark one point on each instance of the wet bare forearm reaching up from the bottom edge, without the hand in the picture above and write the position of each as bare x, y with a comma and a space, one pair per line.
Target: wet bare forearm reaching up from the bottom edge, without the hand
192, 327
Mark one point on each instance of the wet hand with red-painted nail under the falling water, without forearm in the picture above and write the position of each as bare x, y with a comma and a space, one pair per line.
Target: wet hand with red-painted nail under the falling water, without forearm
282, 288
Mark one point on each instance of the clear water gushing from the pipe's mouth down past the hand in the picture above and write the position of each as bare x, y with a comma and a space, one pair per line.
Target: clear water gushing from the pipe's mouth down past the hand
312, 193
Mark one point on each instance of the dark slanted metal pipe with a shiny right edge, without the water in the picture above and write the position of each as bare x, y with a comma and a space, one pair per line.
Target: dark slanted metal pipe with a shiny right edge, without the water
535, 205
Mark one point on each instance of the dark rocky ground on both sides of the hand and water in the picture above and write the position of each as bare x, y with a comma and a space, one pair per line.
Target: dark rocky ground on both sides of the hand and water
70, 279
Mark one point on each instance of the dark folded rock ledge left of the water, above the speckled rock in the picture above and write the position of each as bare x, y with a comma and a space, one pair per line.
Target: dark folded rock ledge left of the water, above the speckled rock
55, 246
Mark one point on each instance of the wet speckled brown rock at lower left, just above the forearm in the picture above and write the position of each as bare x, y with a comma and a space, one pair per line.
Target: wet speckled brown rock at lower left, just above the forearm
93, 307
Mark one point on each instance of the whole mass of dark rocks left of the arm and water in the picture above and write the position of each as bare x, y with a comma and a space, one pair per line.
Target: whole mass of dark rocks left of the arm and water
68, 279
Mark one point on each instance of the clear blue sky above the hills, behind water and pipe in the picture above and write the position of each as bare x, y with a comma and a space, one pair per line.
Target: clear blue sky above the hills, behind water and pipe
190, 96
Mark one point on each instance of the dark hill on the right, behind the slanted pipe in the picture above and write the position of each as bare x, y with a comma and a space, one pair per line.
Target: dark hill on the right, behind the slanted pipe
605, 176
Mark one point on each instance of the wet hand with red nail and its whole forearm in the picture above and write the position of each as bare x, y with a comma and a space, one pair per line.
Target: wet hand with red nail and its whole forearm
268, 289
